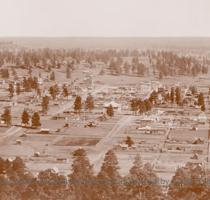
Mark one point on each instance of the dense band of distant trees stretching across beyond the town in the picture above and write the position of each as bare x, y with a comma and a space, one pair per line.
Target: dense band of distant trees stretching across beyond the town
166, 63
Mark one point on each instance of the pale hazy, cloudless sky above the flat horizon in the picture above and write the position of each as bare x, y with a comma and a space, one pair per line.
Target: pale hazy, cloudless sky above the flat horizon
105, 18
